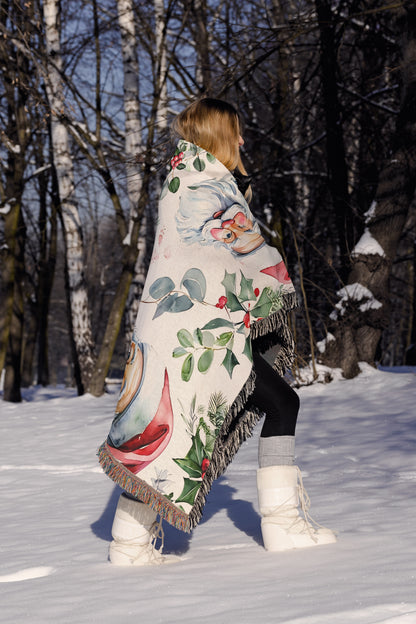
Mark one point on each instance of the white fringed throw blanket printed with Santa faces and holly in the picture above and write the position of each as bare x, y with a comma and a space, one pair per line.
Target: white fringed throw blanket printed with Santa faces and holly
213, 288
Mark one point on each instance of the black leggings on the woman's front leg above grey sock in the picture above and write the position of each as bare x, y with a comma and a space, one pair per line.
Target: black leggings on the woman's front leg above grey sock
273, 396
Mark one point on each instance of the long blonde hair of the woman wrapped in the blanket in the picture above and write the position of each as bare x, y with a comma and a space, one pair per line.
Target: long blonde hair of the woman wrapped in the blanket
214, 125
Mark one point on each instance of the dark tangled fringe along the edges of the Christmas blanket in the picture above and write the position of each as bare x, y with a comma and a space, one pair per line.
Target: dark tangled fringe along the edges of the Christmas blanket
237, 427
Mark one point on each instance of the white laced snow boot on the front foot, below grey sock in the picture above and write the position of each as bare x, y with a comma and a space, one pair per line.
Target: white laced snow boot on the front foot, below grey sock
280, 491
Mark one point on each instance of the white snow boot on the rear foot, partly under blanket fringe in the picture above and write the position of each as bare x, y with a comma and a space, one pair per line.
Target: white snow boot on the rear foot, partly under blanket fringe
135, 532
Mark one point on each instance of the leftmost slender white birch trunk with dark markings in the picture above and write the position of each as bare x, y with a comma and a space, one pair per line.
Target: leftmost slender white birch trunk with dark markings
78, 296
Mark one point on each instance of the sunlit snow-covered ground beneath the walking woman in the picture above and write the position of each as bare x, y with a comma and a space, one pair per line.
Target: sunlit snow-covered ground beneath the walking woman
356, 447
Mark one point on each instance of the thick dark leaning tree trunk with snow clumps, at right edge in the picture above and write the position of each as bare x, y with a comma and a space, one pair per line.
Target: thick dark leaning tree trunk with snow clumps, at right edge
362, 310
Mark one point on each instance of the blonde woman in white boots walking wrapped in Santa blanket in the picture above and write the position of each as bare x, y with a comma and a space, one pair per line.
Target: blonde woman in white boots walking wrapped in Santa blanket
216, 296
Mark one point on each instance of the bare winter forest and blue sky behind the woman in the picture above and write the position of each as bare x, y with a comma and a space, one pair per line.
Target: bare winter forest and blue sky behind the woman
88, 88
